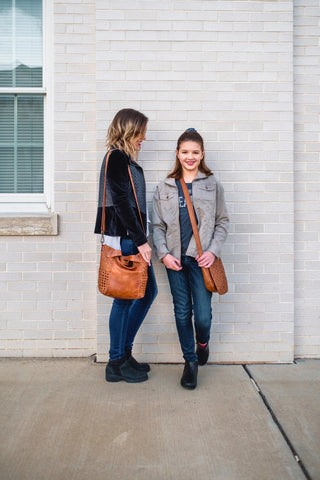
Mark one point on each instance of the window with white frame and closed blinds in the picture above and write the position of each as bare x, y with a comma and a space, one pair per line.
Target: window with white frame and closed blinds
23, 106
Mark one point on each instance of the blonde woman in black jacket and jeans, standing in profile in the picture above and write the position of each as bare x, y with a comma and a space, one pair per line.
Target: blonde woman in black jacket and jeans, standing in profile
124, 231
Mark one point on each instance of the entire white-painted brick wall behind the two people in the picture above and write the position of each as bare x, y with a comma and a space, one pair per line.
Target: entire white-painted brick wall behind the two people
225, 68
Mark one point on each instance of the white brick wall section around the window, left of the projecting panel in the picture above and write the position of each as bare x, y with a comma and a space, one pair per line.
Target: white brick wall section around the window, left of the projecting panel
48, 289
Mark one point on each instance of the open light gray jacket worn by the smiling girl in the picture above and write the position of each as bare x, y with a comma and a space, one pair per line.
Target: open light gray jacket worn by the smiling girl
211, 211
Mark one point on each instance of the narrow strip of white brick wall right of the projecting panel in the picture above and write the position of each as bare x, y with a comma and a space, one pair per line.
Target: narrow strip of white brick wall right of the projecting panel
307, 178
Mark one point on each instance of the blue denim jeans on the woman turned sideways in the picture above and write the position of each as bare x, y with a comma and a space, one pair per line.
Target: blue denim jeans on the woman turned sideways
126, 316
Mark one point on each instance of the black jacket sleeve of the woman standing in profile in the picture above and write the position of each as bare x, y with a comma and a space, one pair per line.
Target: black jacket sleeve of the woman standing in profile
121, 192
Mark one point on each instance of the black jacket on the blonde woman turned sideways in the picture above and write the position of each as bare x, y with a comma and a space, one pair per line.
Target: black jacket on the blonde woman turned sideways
122, 217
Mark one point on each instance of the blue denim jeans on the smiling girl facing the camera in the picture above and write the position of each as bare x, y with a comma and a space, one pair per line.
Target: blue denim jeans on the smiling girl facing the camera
190, 295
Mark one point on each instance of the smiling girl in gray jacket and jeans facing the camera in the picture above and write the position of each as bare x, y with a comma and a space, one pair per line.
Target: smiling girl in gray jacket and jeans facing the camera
176, 248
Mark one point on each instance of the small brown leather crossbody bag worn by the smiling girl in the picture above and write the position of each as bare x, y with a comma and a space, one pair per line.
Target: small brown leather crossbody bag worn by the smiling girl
214, 277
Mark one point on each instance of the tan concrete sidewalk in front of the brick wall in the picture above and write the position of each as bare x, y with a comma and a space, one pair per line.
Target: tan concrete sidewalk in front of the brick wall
60, 420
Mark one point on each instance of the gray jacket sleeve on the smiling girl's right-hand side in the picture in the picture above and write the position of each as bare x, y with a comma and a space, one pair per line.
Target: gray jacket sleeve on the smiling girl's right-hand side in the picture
221, 223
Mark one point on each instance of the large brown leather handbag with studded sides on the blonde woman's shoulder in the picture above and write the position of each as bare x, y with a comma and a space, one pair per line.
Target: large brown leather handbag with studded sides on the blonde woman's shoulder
121, 276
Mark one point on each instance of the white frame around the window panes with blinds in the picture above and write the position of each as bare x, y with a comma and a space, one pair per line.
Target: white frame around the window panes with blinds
38, 203
